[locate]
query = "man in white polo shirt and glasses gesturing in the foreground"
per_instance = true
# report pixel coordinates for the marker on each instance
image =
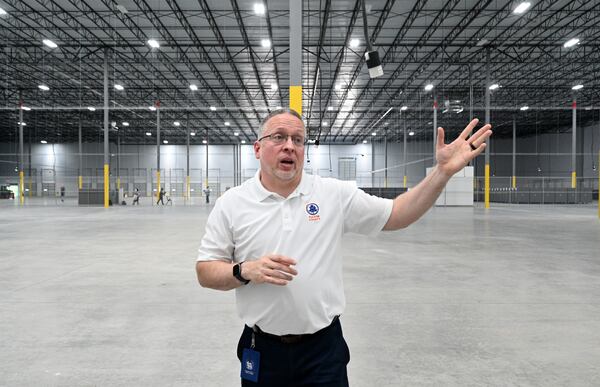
(276, 239)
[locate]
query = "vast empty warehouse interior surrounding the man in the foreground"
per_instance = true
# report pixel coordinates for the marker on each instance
(104, 100)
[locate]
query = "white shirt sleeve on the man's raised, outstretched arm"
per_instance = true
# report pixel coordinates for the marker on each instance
(363, 213)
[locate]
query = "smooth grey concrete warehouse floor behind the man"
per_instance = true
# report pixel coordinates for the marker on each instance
(465, 297)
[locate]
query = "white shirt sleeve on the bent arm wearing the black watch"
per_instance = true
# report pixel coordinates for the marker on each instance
(217, 243)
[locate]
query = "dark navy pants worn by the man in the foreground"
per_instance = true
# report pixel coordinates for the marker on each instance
(319, 360)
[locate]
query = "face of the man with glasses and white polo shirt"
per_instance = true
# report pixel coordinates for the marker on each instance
(281, 162)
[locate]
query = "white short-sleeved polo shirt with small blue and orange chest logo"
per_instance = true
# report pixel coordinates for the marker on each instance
(248, 222)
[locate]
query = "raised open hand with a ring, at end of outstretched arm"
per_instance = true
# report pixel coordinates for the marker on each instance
(453, 157)
